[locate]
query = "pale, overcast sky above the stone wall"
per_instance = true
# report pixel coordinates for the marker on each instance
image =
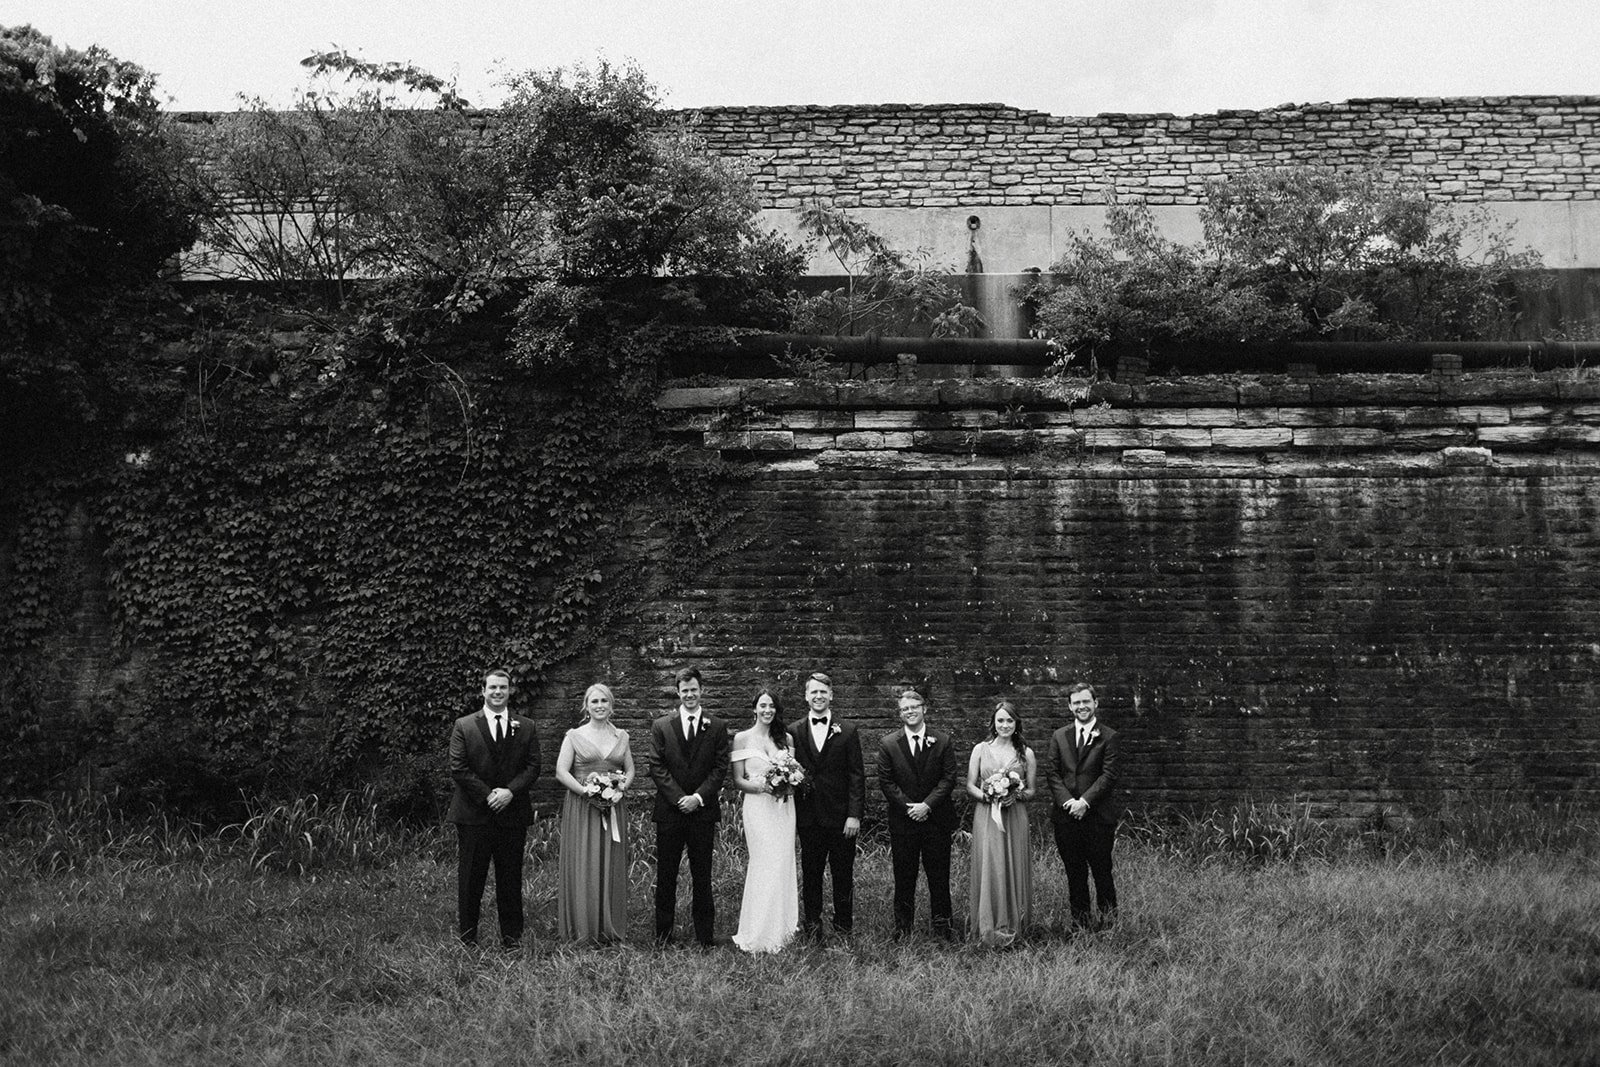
(1063, 57)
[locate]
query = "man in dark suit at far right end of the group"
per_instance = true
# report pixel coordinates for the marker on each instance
(1086, 805)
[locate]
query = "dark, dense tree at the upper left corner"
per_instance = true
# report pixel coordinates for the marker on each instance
(94, 206)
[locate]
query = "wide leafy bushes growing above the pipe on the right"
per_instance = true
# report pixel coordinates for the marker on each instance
(1290, 254)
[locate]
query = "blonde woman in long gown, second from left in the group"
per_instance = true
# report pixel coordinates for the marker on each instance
(593, 893)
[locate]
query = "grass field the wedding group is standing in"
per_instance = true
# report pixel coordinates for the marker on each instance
(314, 935)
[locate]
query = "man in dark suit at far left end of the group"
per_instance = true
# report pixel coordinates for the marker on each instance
(494, 764)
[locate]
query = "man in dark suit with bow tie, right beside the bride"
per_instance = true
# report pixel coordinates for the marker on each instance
(828, 817)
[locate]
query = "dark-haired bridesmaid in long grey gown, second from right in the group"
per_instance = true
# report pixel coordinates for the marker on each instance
(1001, 893)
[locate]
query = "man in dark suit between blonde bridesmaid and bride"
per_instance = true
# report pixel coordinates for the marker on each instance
(692, 761)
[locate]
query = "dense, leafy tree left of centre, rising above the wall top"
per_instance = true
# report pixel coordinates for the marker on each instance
(649, 239)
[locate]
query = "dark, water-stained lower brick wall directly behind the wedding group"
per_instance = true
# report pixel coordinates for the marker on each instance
(1364, 596)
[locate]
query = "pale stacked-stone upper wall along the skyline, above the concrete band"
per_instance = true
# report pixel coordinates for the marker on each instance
(892, 156)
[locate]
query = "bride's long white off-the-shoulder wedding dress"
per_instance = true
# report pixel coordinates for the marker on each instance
(770, 911)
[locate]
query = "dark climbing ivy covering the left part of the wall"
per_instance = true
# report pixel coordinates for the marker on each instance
(310, 572)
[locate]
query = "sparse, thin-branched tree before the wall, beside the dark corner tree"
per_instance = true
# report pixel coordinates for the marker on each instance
(383, 177)
